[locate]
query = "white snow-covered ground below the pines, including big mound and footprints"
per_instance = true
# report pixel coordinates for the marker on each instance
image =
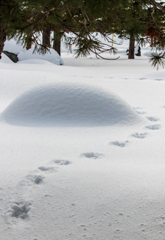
(82, 149)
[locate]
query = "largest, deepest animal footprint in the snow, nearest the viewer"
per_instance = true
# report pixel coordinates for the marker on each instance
(20, 209)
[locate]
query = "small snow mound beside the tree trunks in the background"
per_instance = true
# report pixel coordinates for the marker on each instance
(51, 56)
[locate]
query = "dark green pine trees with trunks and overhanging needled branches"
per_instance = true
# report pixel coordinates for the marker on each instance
(137, 20)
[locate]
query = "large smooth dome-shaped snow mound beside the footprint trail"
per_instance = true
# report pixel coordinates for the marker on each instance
(69, 105)
